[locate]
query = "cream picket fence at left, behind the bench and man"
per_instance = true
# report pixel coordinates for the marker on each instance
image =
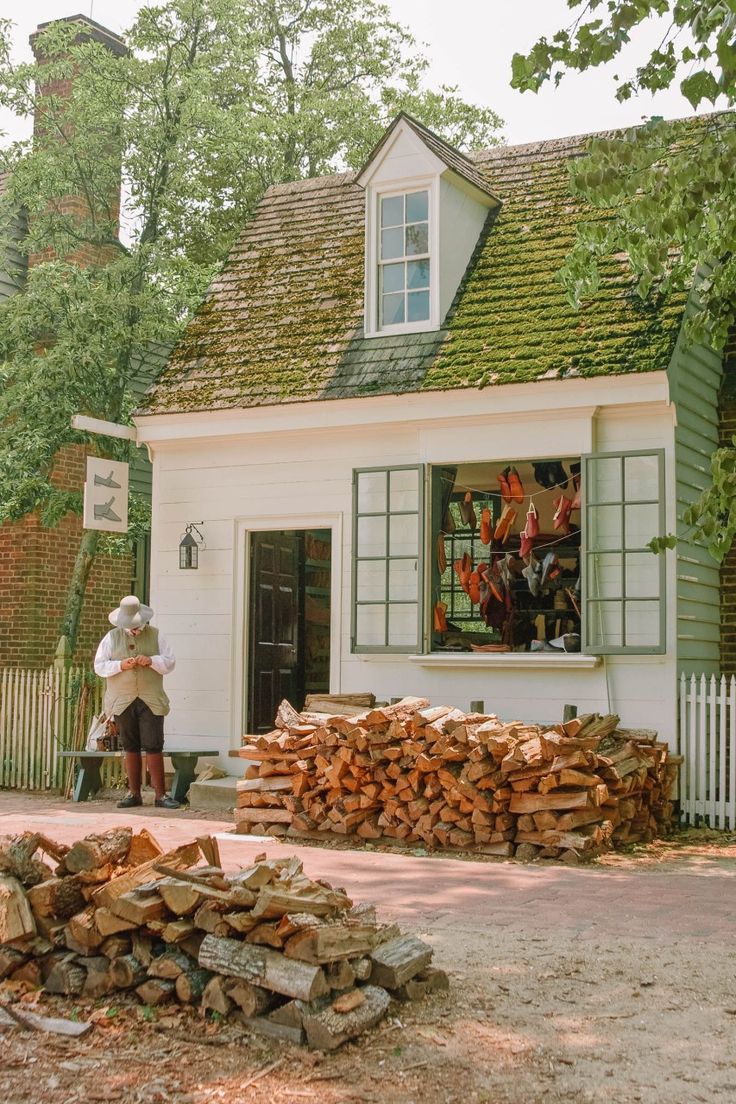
(38, 716)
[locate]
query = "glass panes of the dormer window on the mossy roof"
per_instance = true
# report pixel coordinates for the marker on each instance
(404, 266)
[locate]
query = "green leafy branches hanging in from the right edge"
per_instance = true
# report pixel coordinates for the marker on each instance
(663, 195)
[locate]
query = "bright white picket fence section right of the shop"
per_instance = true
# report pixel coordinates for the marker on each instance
(708, 744)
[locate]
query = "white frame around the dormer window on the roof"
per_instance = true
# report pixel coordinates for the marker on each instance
(372, 327)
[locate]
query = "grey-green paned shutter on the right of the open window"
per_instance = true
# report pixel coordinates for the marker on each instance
(623, 580)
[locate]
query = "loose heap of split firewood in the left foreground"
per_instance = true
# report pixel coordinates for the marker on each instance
(287, 956)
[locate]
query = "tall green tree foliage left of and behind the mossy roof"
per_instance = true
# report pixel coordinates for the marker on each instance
(214, 102)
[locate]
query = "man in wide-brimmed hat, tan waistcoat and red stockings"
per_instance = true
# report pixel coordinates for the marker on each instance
(134, 657)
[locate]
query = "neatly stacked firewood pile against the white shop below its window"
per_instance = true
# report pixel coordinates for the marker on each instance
(438, 777)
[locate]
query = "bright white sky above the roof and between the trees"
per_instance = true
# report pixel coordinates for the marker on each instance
(471, 44)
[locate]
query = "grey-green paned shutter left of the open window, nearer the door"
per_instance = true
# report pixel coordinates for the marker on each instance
(388, 559)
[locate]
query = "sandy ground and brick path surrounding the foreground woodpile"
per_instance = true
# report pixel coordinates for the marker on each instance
(611, 983)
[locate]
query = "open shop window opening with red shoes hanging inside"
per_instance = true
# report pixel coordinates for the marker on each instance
(506, 557)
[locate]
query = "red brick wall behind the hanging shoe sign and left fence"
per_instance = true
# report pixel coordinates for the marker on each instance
(36, 569)
